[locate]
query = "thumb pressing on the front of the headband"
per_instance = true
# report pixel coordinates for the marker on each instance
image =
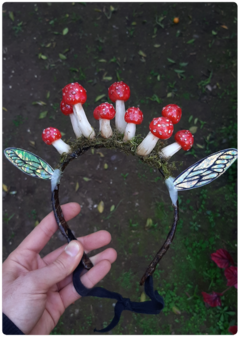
(63, 266)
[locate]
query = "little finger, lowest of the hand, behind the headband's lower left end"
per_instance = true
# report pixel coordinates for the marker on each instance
(89, 280)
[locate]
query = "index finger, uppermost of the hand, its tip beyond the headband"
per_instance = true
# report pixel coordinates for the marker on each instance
(40, 236)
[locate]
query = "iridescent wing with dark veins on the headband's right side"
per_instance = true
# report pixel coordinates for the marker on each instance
(206, 170)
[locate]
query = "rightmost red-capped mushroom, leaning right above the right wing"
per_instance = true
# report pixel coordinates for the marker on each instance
(184, 140)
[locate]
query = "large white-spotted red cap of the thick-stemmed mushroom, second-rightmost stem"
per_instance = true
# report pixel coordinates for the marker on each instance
(161, 127)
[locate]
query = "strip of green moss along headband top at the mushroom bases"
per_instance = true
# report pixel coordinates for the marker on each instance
(81, 145)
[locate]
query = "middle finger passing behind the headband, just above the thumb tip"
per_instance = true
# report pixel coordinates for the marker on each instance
(90, 242)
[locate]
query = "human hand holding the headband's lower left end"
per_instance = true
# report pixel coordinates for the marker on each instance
(35, 292)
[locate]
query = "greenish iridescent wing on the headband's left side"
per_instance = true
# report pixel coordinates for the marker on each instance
(29, 163)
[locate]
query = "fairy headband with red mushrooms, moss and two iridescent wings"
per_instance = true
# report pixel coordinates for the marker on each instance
(151, 150)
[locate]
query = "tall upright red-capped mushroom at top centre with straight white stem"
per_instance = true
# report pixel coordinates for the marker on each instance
(119, 92)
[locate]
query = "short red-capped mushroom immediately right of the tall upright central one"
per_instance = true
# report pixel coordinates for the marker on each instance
(133, 117)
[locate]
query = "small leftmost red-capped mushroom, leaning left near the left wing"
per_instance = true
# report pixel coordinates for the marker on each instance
(52, 136)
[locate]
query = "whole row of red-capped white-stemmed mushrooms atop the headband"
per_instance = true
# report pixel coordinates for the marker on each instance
(74, 96)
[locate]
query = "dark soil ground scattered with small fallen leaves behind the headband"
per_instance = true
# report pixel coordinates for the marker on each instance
(163, 63)
